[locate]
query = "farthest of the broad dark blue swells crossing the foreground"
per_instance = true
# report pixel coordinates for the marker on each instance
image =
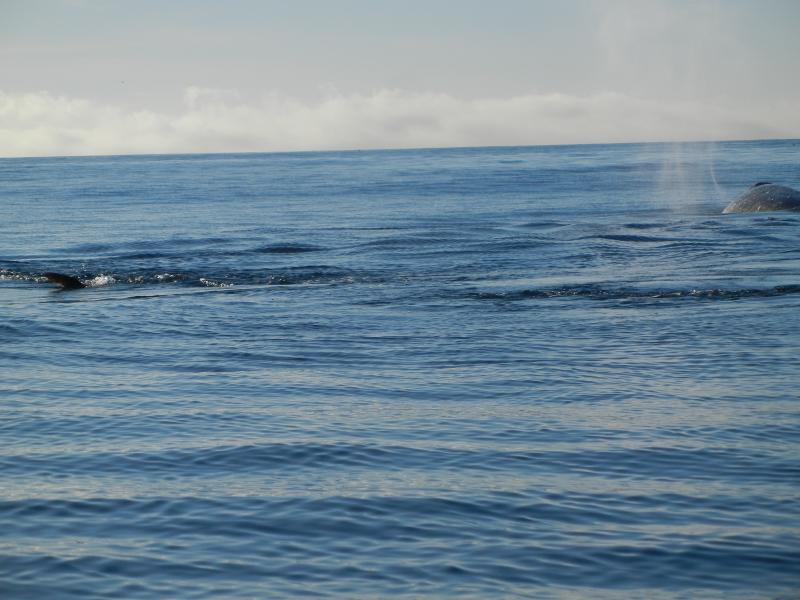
(652, 463)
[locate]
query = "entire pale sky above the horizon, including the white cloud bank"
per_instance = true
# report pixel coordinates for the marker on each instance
(84, 77)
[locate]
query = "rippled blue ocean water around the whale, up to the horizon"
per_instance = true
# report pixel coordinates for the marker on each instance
(541, 372)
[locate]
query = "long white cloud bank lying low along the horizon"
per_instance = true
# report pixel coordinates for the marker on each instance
(42, 123)
